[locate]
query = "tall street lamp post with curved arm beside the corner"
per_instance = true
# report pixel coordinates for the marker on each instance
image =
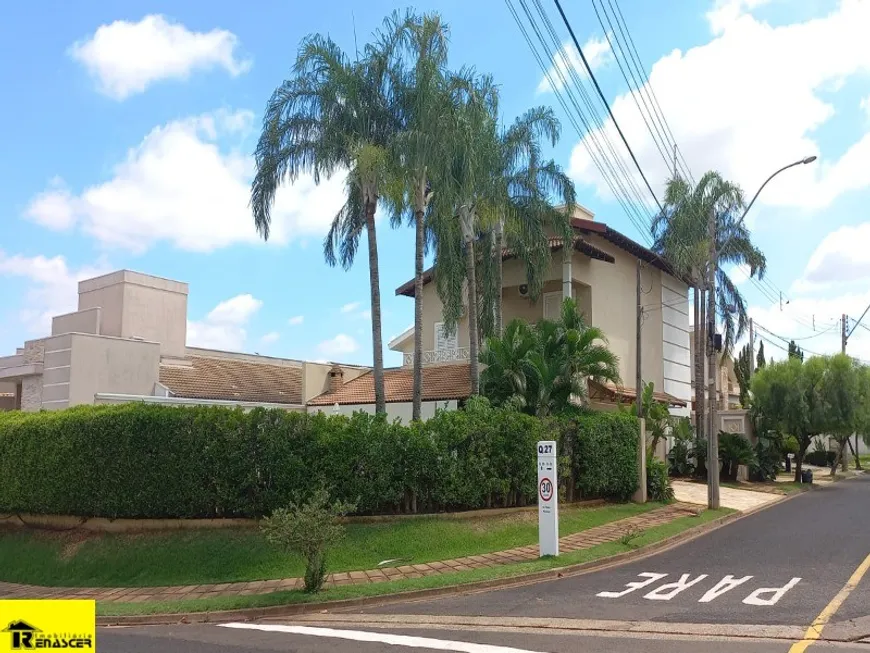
(713, 437)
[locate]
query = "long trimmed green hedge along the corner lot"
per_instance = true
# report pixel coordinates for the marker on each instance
(139, 460)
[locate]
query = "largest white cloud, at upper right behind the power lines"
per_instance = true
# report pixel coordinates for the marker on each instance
(767, 114)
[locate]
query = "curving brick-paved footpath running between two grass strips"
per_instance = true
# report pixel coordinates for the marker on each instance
(587, 539)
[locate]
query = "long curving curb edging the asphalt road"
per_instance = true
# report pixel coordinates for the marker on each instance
(253, 614)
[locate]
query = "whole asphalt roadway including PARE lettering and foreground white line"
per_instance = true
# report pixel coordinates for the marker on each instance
(731, 590)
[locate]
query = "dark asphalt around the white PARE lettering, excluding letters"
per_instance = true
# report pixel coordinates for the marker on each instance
(819, 537)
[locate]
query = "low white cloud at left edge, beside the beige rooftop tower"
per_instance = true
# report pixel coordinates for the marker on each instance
(52, 287)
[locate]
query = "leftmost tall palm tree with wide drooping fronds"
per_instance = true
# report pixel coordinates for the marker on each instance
(335, 115)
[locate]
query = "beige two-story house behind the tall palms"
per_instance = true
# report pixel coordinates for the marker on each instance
(601, 275)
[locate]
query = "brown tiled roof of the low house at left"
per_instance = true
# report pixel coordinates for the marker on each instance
(233, 380)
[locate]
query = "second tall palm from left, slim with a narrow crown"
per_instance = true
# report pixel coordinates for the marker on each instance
(423, 99)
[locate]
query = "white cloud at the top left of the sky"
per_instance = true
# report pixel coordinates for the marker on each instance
(126, 58)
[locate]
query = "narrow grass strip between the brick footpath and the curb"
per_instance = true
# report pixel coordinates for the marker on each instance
(649, 536)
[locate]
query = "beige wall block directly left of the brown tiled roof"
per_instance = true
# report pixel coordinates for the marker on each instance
(105, 364)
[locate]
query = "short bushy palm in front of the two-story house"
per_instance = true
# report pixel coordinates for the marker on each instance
(544, 369)
